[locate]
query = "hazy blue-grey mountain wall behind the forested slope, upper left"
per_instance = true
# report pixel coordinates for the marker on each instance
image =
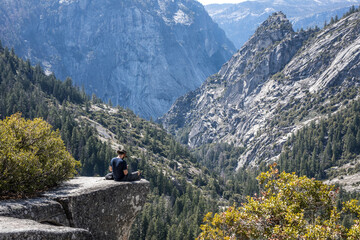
(138, 54)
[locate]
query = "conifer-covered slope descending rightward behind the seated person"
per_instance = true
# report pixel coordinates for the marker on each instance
(92, 130)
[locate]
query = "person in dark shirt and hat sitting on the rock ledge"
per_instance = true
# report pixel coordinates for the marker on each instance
(119, 171)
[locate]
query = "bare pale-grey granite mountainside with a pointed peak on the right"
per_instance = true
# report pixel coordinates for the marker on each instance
(276, 84)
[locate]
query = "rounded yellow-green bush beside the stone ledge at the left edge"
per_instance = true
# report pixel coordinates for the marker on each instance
(32, 157)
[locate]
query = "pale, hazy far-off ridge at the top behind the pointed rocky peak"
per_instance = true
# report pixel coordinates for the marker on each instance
(240, 21)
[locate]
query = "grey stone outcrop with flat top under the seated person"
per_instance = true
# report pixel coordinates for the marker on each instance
(82, 208)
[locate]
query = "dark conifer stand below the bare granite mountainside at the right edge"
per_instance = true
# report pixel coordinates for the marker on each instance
(330, 142)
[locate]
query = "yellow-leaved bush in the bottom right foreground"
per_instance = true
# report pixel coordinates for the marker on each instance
(290, 207)
